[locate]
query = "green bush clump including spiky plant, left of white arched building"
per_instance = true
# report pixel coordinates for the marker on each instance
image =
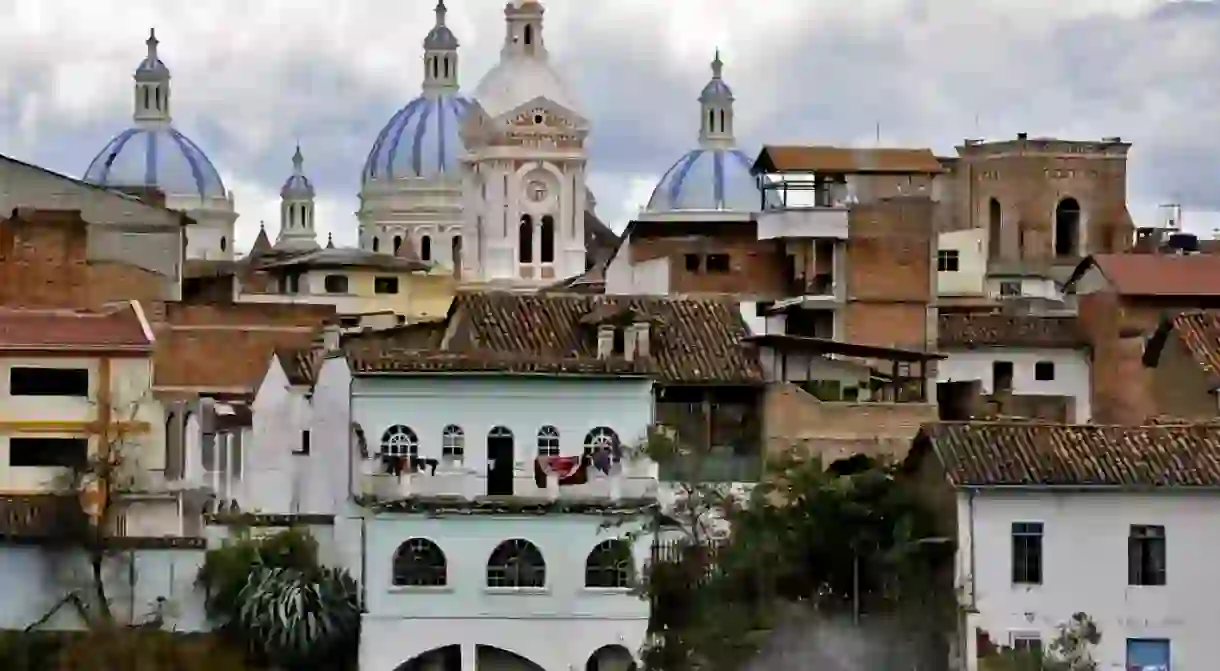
(274, 597)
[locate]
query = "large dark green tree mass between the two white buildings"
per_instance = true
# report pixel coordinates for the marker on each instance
(851, 540)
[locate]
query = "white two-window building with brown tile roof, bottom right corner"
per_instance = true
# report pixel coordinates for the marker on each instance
(1117, 523)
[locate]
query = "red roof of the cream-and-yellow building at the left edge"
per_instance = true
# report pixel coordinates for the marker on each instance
(119, 329)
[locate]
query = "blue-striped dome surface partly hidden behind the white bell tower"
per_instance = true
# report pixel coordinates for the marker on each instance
(423, 140)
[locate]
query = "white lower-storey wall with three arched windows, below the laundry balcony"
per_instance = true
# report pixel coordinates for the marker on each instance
(558, 626)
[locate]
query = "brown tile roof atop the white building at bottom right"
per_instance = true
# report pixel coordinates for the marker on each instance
(999, 454)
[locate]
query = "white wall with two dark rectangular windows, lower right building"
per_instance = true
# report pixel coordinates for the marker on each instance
(1085, 569)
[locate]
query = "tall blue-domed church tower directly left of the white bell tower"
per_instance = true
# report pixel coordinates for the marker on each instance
(412, 182)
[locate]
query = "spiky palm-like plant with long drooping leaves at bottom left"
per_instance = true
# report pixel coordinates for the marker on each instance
(297, 615)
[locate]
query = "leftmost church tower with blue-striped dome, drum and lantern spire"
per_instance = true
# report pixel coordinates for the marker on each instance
(154, 154)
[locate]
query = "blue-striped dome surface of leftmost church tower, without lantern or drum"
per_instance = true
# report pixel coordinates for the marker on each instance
(156, 157)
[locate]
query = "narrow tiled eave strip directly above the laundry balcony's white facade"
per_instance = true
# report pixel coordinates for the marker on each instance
(402, 362)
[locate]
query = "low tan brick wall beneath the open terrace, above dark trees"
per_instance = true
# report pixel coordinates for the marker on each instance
(795, 419)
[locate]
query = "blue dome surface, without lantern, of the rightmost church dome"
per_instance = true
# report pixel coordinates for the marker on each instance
(708, 180)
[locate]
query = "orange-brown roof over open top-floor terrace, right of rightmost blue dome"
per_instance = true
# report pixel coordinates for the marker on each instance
(847, 160)
